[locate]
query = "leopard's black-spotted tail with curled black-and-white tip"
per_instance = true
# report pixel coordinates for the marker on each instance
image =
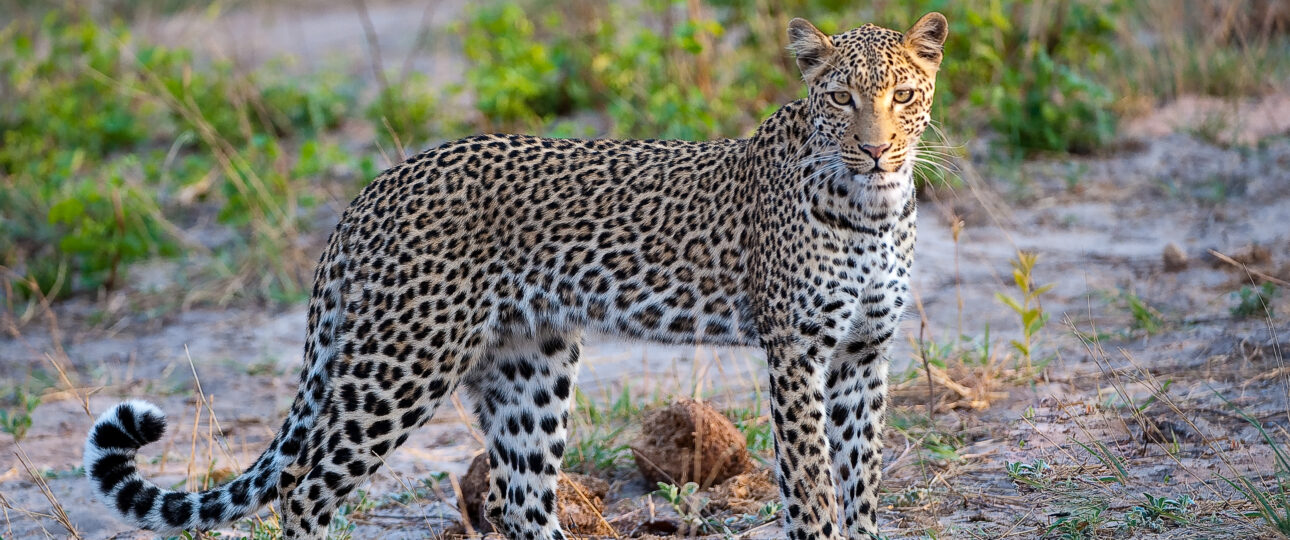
(118, 435)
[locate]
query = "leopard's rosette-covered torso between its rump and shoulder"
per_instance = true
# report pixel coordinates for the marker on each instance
(640, 239)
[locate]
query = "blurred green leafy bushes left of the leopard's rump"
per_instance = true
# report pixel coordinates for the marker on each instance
(103, 135)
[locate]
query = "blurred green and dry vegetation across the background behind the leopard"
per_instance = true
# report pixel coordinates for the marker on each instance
(117, 150)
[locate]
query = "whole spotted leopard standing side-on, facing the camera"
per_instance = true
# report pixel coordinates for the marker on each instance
(481, 265)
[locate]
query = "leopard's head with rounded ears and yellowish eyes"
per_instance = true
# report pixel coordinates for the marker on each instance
(870, 92)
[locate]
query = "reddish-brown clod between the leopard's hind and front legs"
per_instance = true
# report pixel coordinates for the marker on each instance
(691, 443)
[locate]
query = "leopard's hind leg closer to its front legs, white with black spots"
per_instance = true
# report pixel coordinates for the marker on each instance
(522, 395)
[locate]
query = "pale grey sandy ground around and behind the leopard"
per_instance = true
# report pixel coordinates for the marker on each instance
(1100, 226)
